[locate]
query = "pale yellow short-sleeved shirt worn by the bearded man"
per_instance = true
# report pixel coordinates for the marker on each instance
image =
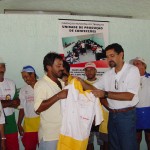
(50, 122)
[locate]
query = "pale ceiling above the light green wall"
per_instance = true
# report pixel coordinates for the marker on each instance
(139, 9)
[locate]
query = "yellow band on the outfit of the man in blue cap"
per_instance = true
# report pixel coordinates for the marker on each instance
(31, 124)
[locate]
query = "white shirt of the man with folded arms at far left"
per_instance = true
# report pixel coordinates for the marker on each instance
(7, 92)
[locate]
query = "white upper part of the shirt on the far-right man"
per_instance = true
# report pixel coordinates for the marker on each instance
(144, 92)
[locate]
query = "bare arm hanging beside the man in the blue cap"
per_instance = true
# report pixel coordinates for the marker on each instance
(20, 119)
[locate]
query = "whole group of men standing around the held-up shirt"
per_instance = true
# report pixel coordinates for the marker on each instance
(123, 92)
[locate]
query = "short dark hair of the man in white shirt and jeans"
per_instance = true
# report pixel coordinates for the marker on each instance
(117, 48)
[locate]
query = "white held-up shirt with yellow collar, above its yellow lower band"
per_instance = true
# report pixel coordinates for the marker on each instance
(78, 111)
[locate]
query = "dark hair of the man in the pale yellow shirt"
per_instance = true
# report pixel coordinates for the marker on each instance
(50, 58)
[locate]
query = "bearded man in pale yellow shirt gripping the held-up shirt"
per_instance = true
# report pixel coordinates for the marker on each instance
(47, 93)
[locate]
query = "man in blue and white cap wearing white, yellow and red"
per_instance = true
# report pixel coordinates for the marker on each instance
(29, 131)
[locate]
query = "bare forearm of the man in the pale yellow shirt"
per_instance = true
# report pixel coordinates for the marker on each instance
(47, 103)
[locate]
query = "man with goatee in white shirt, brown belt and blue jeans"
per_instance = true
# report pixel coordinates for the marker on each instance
(119, 86)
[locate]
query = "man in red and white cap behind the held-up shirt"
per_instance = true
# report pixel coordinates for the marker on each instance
(90, 72)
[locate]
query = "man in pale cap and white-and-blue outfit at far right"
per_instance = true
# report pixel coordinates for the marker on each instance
(143, 107)
